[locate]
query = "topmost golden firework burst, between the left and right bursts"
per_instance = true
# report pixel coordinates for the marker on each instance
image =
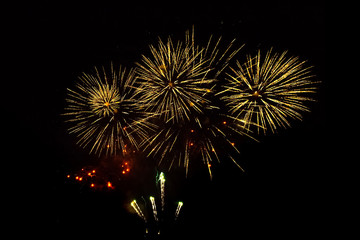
(178, 77)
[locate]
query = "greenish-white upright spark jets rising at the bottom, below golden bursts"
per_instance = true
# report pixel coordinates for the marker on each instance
(157, 217)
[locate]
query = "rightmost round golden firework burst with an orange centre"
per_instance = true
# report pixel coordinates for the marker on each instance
(267, 92)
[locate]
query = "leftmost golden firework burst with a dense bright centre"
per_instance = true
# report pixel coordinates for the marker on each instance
(103, 112)
